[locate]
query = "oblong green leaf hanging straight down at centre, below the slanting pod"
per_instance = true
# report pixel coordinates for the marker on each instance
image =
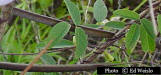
(81, 42)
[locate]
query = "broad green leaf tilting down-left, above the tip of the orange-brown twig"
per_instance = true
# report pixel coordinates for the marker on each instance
(56, 34)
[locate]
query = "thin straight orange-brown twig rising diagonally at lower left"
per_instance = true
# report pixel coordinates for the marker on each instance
(36, 58)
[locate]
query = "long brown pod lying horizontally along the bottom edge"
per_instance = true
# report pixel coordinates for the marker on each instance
(56, 68)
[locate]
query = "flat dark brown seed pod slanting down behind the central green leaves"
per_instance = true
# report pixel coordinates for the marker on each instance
(52, 21)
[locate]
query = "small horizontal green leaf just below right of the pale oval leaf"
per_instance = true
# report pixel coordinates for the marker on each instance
(115, 24)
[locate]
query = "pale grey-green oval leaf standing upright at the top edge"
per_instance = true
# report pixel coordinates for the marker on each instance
(100, 10)
